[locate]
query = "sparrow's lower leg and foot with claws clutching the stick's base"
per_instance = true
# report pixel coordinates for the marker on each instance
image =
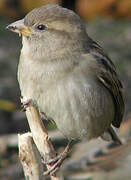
(57, 161)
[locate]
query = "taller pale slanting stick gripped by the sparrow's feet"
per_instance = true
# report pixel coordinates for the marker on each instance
(40, 137)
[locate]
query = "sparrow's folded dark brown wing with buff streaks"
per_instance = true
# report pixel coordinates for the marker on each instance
(108, 77)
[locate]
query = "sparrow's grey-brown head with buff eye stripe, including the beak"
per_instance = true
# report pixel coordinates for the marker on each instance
(50, 28)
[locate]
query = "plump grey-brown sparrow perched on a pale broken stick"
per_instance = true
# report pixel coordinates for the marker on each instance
(68, 75)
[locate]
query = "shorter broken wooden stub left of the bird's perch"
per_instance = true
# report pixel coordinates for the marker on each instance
(30, 158)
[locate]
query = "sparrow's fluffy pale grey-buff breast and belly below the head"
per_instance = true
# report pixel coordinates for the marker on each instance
(79, 106)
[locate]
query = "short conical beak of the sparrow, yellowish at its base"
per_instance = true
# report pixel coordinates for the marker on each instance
(19, 28)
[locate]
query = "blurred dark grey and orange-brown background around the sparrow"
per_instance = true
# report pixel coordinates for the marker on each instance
(108, 23)
